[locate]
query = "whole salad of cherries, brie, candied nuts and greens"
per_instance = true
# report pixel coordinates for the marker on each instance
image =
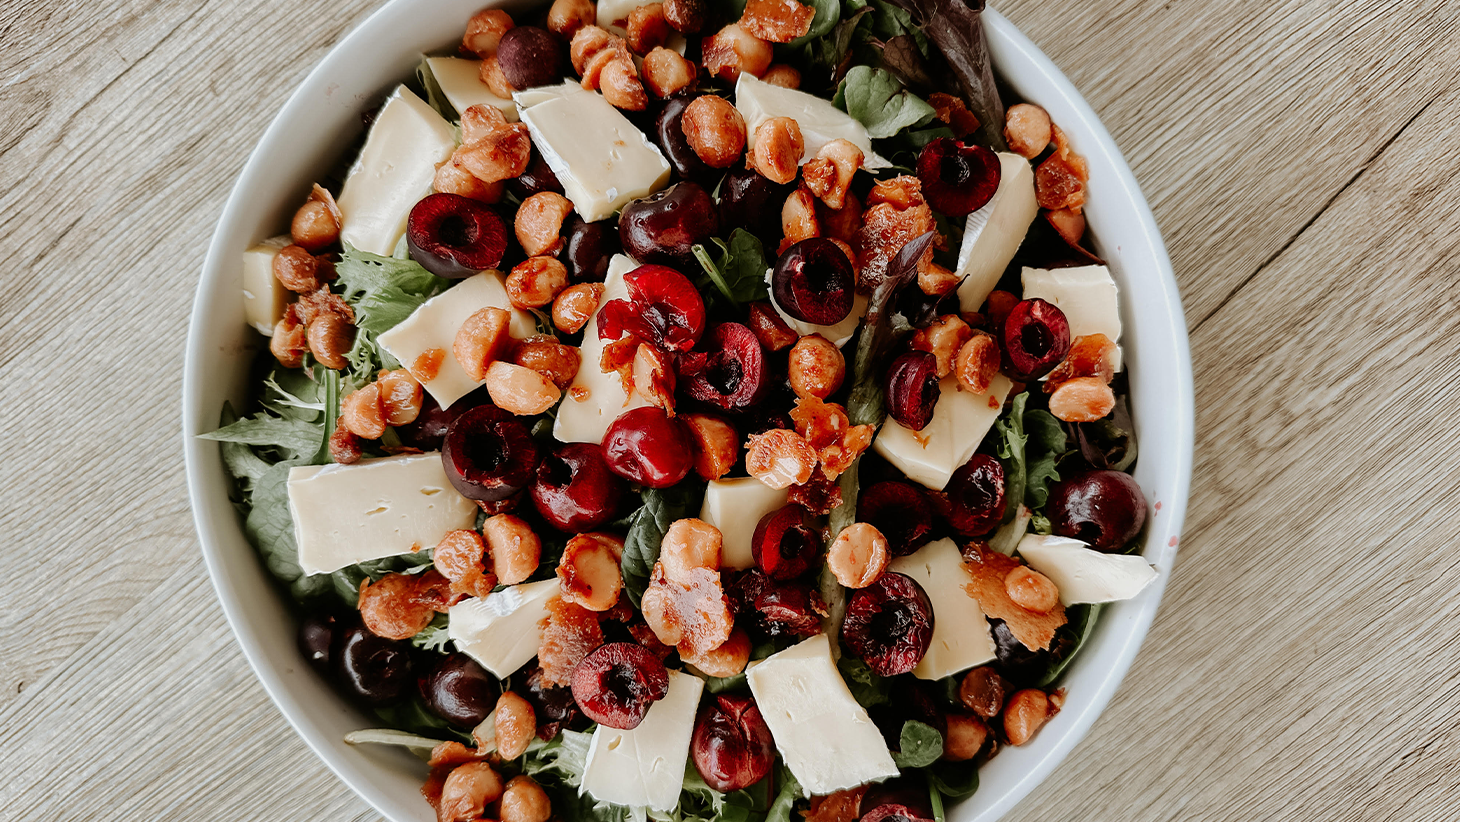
(696, 411)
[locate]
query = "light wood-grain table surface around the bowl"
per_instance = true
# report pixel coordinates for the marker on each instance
(1302, 158)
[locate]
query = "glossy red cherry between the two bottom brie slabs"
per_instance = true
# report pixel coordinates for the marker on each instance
(732, 745)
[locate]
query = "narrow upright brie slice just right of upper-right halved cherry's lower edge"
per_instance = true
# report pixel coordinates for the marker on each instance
(994, 233)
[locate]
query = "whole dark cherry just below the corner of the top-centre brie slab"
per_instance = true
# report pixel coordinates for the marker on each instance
(665, 227)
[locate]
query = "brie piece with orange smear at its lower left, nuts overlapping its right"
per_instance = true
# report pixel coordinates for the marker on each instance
(436, 325)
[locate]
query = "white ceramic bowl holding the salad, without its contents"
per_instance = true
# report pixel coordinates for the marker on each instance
(309, 138)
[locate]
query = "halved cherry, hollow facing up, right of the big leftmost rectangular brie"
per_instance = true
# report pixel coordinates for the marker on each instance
(490, 455)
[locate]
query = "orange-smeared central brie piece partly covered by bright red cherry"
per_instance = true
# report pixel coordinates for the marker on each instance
(596, 399)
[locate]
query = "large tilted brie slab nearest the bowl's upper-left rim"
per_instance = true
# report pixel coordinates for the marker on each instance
(393, 173)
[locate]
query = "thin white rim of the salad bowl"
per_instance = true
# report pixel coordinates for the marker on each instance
(1007, 43)
